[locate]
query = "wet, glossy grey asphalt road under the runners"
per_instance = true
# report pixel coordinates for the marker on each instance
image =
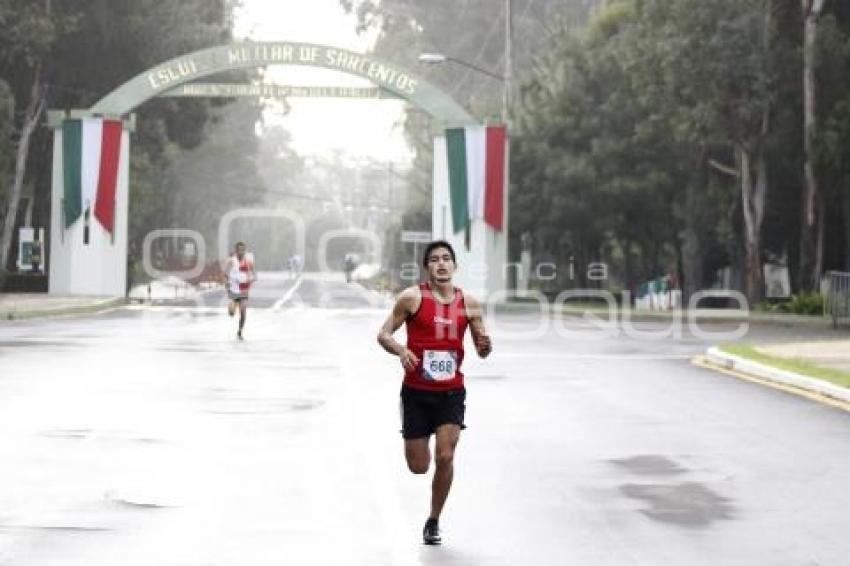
(150, 436)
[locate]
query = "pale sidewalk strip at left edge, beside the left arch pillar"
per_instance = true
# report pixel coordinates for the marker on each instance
(16, 306)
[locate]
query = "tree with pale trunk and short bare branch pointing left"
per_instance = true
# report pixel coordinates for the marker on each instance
(729, 83)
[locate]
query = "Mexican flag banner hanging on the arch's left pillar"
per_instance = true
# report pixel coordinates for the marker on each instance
(91, 149)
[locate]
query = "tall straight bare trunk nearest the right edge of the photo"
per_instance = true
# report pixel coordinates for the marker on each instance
(811, 245)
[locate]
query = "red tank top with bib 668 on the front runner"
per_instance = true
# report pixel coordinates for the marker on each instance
(435, 335)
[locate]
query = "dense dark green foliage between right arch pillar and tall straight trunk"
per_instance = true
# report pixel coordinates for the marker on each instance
(622, 123)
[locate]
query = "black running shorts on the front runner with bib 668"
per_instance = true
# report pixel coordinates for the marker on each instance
(423, 411)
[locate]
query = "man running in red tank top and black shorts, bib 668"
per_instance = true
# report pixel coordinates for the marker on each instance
(436, 315)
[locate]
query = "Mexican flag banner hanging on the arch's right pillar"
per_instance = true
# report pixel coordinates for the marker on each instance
(476, 159)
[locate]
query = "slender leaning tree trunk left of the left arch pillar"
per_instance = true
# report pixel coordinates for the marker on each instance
(30, 121)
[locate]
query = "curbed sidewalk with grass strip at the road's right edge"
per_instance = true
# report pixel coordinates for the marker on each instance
(819, 368)
